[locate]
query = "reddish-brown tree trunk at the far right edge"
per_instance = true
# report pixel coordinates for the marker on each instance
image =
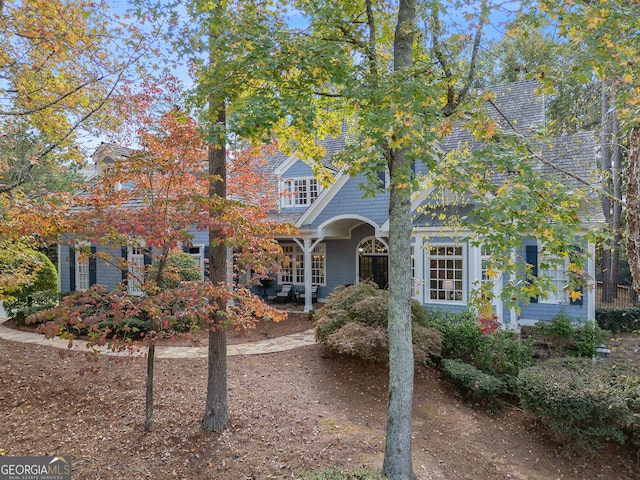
(633, 207)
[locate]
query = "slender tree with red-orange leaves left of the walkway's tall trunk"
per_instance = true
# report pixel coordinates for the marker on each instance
(164, 199)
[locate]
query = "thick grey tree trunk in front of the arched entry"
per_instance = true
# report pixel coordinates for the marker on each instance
(397, 456)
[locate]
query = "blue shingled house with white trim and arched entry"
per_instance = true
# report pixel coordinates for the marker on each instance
(343, 237)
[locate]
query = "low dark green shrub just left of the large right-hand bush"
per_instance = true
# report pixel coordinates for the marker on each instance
(473, 382)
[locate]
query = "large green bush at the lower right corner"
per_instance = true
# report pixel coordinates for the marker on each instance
(582, 403)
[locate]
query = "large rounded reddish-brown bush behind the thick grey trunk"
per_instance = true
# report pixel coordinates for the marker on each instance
(354, 322)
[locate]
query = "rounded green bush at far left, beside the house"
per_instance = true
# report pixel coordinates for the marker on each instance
(39, 295)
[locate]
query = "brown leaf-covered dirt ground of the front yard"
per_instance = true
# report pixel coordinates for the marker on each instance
(290, 411)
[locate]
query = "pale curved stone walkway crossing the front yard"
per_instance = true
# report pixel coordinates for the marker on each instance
(278, 344)
